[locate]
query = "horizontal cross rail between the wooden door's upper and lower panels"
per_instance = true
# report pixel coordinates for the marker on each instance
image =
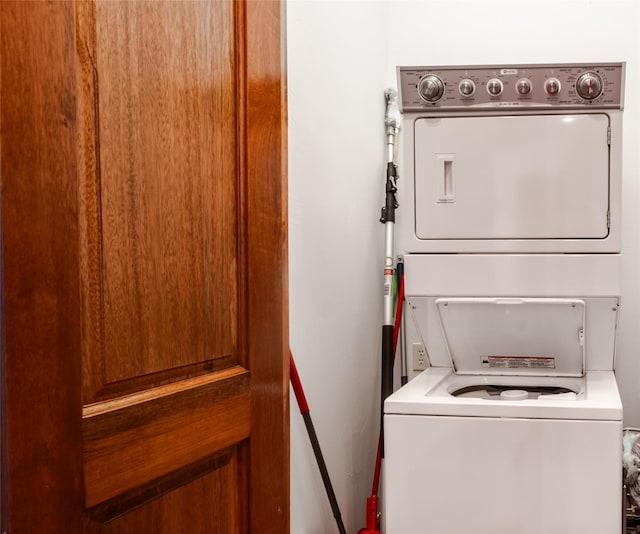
(134, 440)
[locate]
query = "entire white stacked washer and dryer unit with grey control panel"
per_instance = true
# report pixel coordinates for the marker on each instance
(511, 242)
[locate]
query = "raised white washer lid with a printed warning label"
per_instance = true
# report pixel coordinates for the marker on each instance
(512, 336)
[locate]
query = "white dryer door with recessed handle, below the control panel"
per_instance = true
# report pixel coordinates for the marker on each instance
(512, 177)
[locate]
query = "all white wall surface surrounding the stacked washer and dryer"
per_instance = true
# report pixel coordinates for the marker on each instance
(341, 57)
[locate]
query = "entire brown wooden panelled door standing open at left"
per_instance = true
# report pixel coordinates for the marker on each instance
(144, 258)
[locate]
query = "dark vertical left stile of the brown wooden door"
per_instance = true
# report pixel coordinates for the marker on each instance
(41, 305)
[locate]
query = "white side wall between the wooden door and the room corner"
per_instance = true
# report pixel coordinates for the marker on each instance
(336, 57)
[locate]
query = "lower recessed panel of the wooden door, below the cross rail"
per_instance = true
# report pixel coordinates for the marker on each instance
(188, 509)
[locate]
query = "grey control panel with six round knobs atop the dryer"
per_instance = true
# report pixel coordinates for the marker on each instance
(570, 86)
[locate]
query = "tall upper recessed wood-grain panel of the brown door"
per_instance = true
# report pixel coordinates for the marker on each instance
(159, 192)
